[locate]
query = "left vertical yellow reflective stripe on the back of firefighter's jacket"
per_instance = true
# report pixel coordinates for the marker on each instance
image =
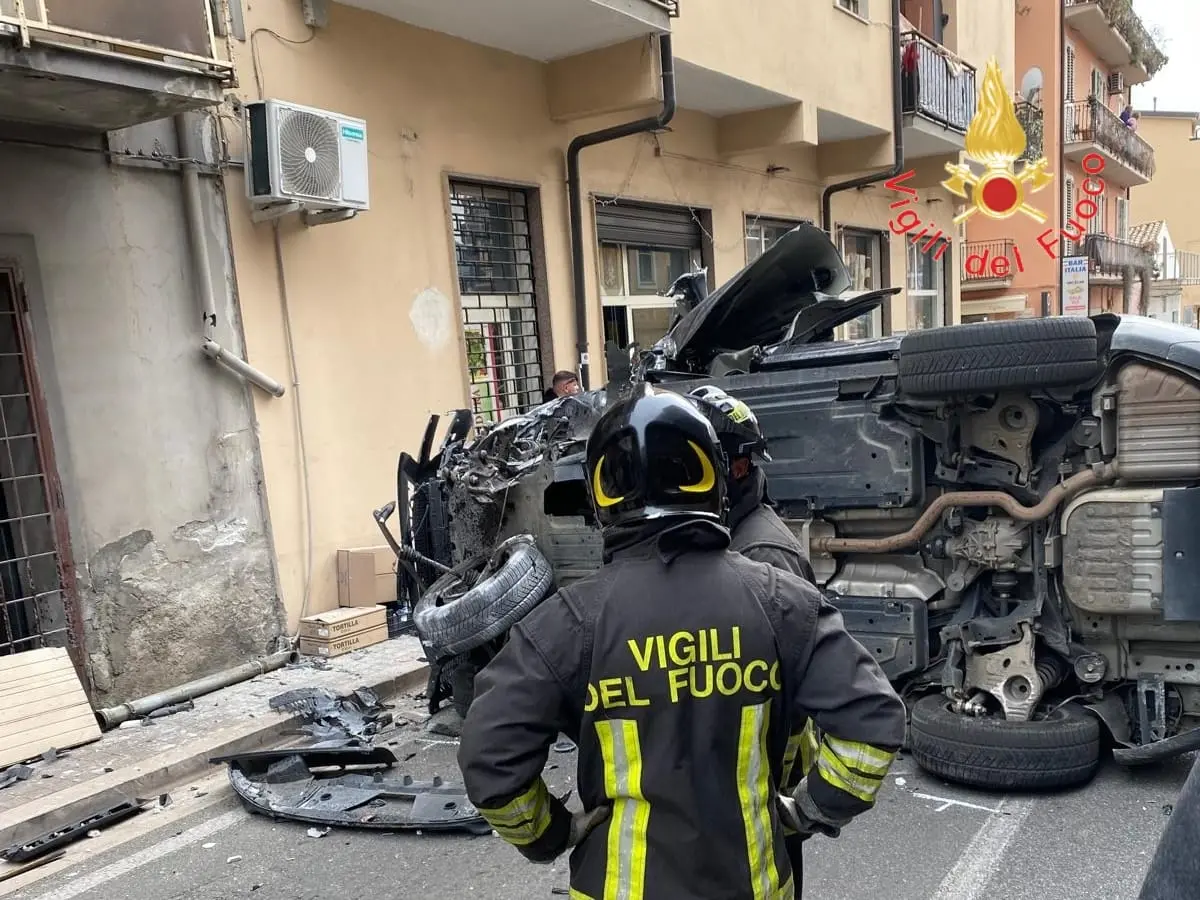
(626, 868)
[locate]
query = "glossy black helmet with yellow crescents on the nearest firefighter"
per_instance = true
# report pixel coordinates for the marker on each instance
(655, 455)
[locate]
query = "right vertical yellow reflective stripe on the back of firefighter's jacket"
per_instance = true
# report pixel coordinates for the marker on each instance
(757, 795)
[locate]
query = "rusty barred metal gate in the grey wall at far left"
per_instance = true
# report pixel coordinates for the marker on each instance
(37, 597)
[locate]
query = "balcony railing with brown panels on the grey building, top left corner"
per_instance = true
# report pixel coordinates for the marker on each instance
(179, 34)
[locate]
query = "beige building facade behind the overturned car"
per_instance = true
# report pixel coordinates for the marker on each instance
(455, 287)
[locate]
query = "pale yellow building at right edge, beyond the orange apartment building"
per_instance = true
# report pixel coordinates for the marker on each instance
(1169, 215)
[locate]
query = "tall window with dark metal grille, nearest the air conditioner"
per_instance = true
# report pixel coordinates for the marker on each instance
(500, 310)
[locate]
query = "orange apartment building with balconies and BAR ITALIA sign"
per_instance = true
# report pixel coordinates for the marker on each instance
(1077, 62)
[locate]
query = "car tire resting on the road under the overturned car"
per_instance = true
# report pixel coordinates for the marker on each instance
(1061, 751)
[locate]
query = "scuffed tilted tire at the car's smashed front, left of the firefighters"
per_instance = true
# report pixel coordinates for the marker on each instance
(455, 619)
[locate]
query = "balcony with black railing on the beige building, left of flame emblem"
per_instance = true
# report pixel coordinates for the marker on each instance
(939, 98)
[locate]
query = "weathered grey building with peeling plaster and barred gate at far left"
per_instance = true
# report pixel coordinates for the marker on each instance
(133, 527)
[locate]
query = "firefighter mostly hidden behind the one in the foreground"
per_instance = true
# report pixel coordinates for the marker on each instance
(758, 532)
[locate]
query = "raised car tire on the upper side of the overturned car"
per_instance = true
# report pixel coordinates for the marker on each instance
(991, 357)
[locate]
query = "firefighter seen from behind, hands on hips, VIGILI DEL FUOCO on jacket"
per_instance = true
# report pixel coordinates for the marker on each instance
(681, 670)
